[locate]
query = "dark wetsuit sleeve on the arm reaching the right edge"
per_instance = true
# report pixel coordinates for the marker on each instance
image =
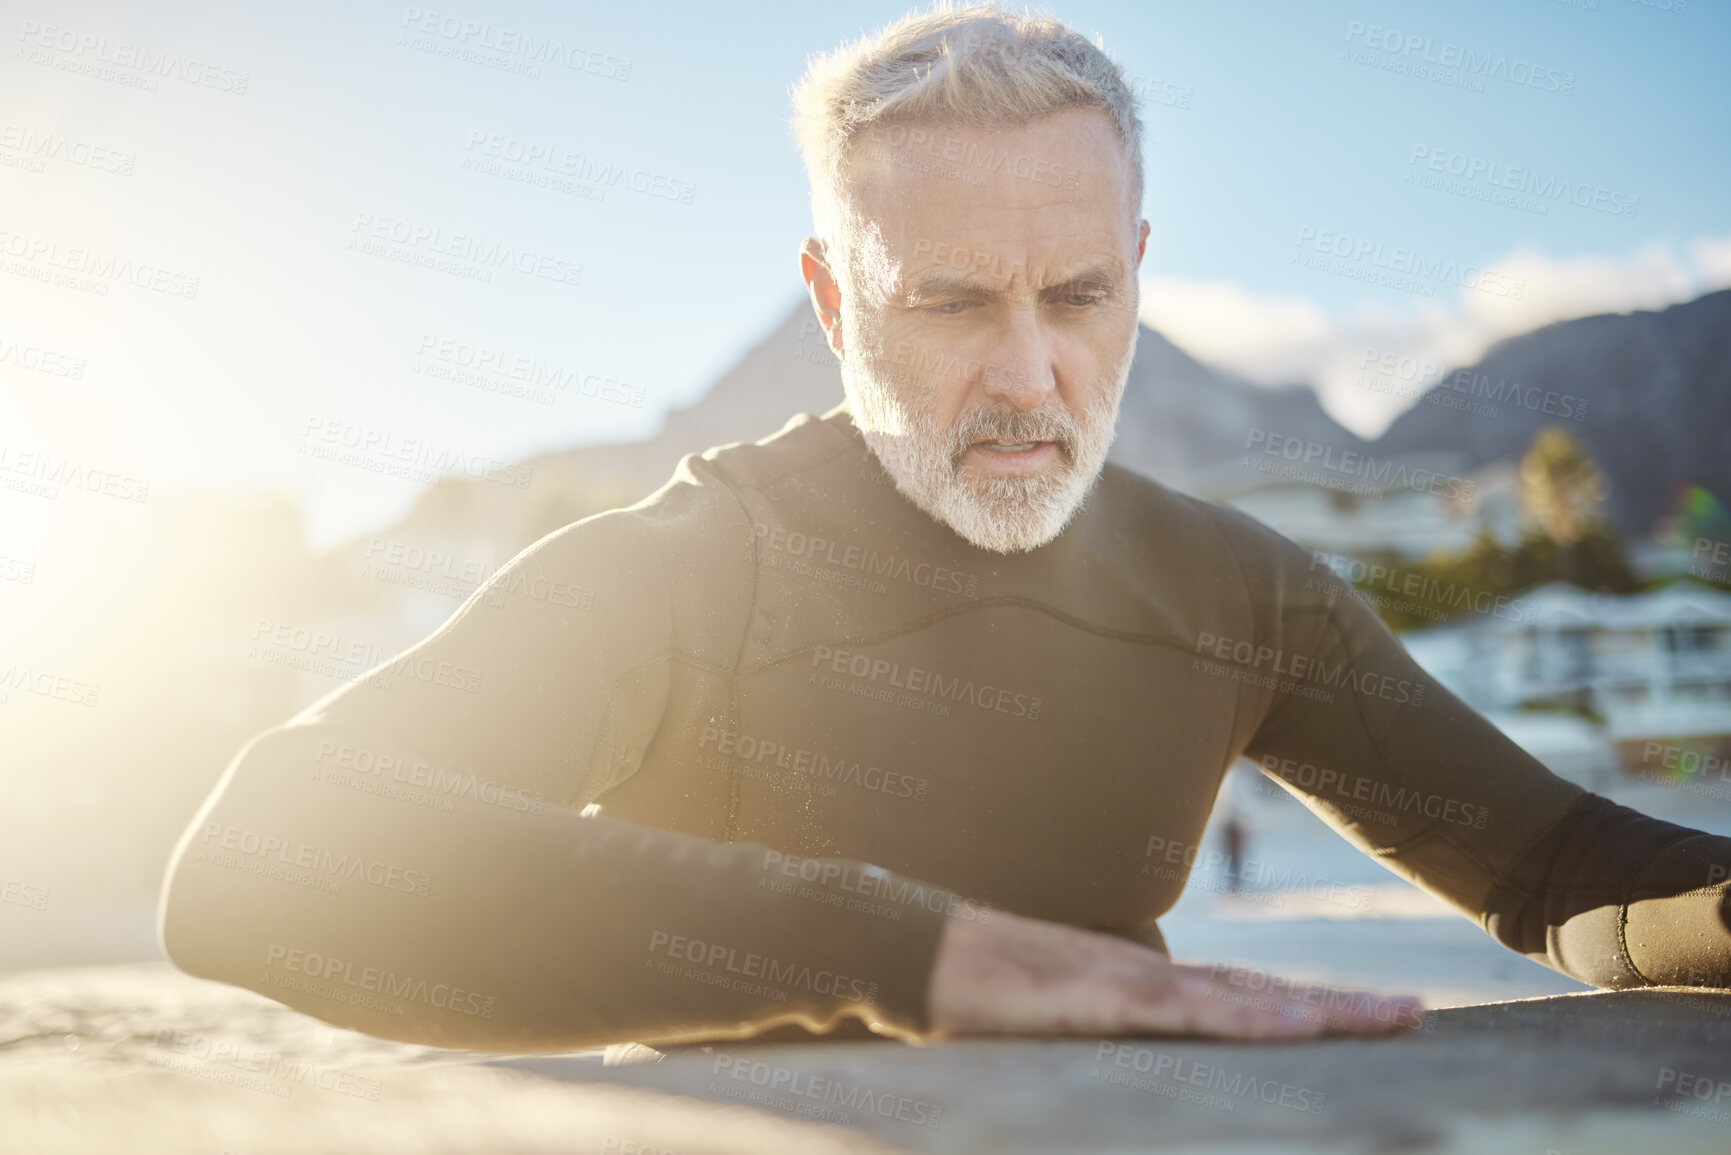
(1424, 784)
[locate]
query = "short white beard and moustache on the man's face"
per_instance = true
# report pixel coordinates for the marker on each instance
(1001, 513)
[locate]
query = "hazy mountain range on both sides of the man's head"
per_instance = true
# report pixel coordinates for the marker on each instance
(1657, 390)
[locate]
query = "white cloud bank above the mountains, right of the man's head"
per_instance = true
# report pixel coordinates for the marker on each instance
(1282, 340)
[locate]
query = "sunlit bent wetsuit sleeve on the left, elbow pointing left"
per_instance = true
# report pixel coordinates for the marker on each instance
(409, 858)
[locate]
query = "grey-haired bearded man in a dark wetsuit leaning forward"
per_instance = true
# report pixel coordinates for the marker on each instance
(911, 714)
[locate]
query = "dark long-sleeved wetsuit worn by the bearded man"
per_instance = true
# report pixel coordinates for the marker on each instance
(818, 723)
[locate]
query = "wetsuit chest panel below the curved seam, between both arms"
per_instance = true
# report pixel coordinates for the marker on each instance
(1003, 752)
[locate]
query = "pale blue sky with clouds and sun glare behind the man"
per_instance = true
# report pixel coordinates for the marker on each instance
(240, 238)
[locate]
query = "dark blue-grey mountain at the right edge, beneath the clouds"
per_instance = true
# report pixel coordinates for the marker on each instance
(1657, 390)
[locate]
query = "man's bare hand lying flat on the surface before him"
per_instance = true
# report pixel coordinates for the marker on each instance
(1031, 978)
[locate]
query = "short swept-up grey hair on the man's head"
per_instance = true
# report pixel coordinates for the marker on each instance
(974, 65)
